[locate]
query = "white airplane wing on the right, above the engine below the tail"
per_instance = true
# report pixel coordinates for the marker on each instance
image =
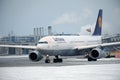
(97, 45)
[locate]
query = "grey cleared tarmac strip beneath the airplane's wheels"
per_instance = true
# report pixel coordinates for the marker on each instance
(19, 61)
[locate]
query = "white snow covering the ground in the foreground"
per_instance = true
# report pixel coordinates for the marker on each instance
(79, 72)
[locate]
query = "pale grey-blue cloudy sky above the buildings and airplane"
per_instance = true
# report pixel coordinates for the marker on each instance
(68, 16)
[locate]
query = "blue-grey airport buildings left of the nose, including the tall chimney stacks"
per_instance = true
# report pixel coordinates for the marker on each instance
(23, 40)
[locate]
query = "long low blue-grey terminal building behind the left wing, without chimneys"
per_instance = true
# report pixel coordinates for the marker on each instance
(16, 40)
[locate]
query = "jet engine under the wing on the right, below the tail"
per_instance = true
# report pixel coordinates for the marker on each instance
(97, 53)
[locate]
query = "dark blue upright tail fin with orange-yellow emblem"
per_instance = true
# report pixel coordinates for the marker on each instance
(98, 26)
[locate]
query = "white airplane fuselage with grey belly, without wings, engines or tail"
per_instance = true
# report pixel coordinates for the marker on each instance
(65, 45)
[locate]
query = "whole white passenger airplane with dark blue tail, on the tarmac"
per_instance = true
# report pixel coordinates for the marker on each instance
(70, 45)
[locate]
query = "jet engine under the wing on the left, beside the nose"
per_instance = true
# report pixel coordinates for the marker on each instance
(35, 56)
